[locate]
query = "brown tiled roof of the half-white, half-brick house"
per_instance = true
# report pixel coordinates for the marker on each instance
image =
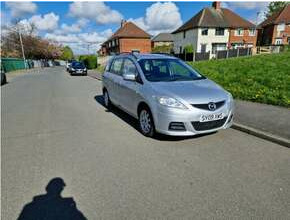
(211, 17)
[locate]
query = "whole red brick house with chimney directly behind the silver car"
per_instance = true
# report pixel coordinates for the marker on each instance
(129, 37)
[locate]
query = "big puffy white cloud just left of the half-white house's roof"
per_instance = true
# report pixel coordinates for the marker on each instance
(160, 17)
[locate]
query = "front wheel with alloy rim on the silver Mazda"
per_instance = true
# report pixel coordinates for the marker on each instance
(146, 123)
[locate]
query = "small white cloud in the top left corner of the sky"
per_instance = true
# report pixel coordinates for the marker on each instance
(19, 9)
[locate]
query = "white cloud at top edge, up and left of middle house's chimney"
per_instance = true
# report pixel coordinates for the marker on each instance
(98, 11)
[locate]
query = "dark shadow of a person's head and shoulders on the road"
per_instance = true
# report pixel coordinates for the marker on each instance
(52, 206)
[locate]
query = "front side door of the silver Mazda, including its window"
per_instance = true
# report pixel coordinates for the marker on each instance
(129, 90)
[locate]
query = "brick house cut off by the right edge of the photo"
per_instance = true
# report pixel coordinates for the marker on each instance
(275, 30)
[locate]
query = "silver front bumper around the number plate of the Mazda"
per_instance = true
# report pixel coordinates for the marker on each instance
(163, 116)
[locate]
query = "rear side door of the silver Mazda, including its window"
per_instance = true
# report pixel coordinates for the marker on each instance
(113, 78)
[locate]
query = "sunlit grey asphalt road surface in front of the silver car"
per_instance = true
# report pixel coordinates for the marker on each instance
(54, 125)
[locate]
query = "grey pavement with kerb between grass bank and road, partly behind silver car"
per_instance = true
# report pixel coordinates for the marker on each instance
(265, 121)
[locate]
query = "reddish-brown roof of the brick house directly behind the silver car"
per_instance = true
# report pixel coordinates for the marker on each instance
(130, 30)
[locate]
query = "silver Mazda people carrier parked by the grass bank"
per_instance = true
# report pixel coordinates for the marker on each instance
(166, 95)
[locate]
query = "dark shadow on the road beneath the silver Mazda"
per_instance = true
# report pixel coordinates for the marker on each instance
(134, 123)
